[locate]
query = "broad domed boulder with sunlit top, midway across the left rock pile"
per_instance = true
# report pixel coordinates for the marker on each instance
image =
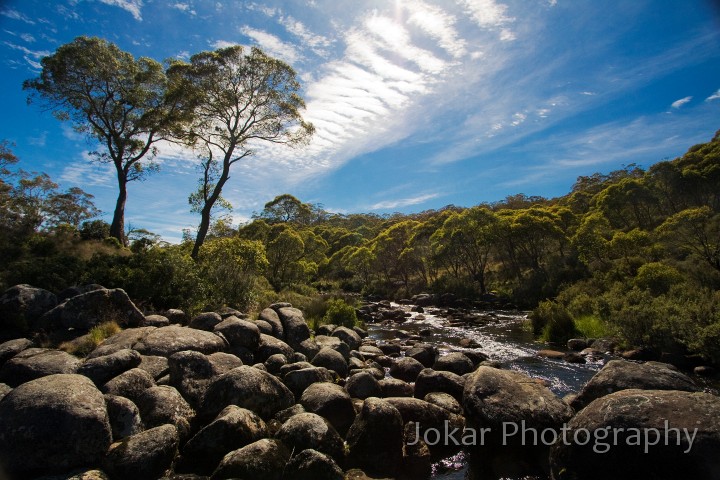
(249, 388)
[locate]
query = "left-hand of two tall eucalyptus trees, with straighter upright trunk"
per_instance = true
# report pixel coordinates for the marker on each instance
(114, 99)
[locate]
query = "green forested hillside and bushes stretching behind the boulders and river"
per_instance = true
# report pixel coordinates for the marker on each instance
(632, 253)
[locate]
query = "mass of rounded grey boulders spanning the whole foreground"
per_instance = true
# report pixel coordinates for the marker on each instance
(221, 395)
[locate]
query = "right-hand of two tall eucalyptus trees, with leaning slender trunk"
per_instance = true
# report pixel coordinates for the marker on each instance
(237, 100)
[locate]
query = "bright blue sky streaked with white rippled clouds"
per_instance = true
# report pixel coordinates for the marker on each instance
(417, 103)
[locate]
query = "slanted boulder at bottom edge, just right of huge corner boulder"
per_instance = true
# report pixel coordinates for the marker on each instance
(144, 456)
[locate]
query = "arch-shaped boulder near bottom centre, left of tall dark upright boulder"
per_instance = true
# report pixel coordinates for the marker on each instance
(309, 430)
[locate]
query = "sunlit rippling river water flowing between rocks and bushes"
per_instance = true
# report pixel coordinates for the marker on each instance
(504, 337)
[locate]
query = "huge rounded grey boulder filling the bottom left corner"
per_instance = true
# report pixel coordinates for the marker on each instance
(53, 424)
